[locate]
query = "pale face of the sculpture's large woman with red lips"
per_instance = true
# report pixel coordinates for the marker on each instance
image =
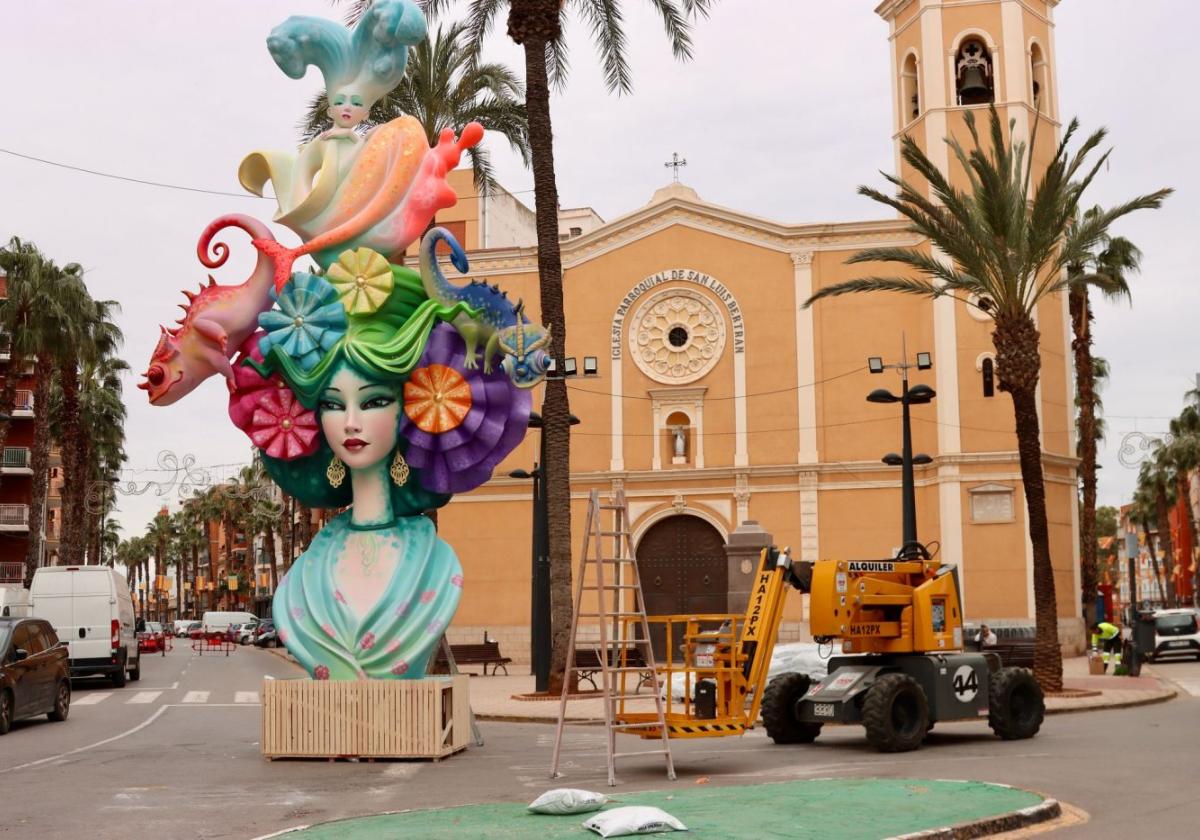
(359, 419)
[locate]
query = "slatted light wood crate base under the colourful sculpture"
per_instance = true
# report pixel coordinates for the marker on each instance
(367, 719)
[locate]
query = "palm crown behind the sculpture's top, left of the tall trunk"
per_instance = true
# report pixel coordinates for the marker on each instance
(447, 87)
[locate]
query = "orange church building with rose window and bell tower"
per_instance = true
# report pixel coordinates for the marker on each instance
(723, 407)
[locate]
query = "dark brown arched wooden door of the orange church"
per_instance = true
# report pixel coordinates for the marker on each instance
(682, 563)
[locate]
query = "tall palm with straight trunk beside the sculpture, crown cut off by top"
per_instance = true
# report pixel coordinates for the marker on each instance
(537, 26)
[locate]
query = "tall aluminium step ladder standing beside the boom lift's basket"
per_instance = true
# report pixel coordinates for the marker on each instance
(609, 590)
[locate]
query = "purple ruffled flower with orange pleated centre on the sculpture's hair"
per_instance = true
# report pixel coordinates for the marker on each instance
(455, 454)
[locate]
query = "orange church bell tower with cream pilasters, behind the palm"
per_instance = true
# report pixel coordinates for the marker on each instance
(953, 58)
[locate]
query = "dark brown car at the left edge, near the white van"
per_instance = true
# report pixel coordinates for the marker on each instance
(35, 671)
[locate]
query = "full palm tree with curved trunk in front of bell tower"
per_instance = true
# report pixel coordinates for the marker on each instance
(1011, 251)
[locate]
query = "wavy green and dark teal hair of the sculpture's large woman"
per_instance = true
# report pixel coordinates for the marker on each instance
(383, 347)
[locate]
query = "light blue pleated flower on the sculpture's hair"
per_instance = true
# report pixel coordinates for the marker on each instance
(307, 323)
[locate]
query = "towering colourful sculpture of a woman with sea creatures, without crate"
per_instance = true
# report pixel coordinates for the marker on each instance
(362, 383)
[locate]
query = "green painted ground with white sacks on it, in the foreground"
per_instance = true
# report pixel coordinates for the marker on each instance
(849, 809)
